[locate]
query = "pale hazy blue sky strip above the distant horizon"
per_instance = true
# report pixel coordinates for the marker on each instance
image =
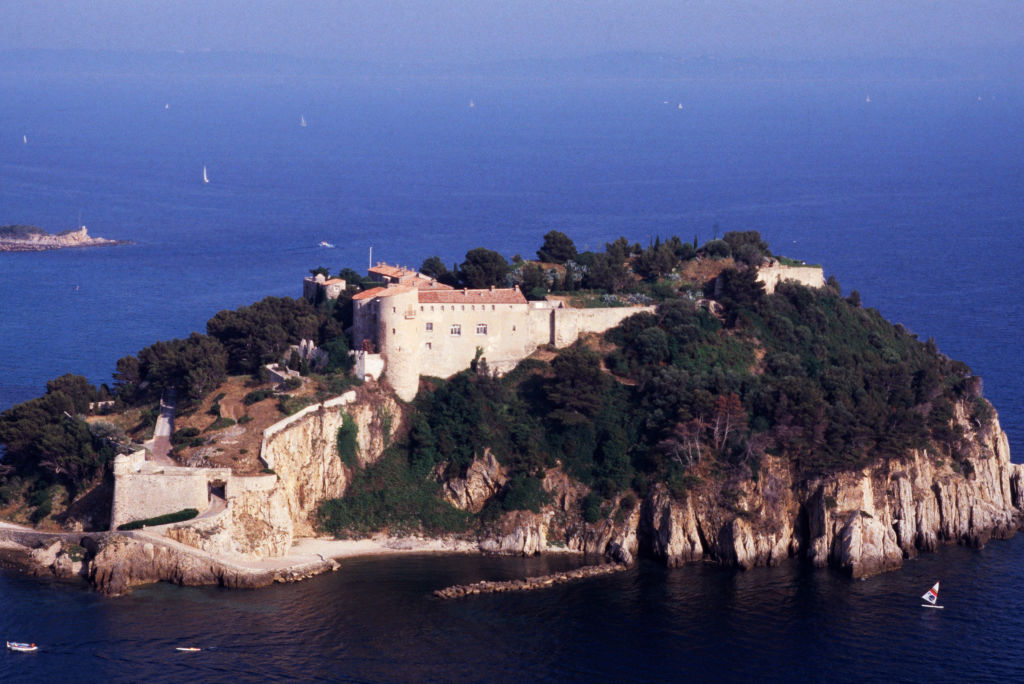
(466, 33)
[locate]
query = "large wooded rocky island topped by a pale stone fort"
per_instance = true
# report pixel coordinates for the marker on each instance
(687, 403)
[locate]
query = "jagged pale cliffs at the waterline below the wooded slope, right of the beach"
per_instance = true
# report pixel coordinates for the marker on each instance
(864, 523)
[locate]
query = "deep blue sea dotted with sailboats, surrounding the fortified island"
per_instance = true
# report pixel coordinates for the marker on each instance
(908, 190)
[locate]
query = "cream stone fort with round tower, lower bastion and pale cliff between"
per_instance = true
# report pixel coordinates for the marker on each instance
(408, 327)
